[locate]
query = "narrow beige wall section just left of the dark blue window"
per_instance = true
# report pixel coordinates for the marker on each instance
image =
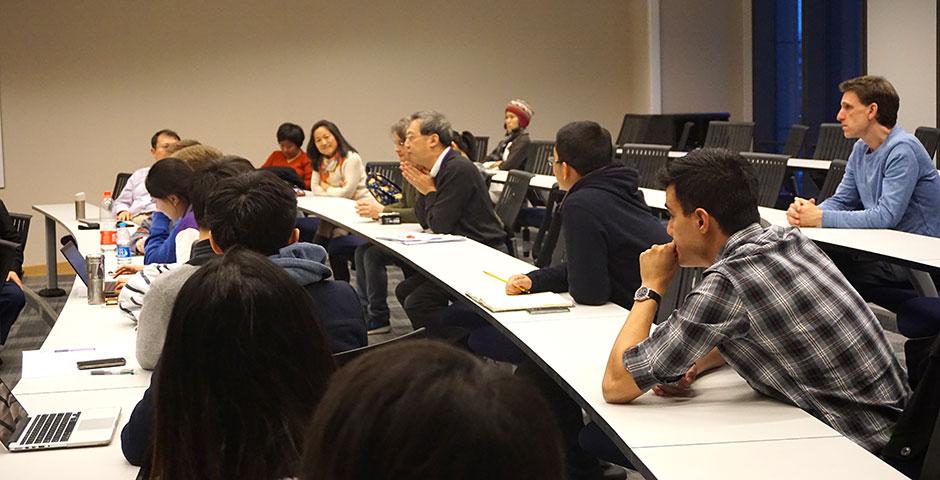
(706, 56)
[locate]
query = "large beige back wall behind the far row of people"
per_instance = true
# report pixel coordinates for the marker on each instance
(83, 85)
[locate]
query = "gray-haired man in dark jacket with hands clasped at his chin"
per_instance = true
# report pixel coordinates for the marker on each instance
(452, 199)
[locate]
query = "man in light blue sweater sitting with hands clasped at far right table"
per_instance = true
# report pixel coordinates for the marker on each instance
(890, 182)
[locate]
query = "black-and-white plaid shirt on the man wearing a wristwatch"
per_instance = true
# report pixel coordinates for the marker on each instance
(787, 321)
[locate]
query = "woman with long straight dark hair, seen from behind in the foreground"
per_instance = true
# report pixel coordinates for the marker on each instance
(244, 365)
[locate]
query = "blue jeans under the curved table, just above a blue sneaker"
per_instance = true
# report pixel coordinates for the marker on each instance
(372, 281)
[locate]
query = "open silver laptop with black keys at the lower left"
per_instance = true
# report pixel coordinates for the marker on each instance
(21, 432)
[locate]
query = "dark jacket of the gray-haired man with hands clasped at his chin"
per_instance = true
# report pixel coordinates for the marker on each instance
(461, 205)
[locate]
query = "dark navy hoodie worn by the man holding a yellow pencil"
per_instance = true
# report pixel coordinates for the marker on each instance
(606, 225)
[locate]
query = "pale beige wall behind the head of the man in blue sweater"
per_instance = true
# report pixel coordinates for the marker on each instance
(902, 46)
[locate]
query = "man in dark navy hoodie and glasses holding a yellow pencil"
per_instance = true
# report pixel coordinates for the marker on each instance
(606, 223)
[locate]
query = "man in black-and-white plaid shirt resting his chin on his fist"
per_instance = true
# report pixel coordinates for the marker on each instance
(771, 304)
